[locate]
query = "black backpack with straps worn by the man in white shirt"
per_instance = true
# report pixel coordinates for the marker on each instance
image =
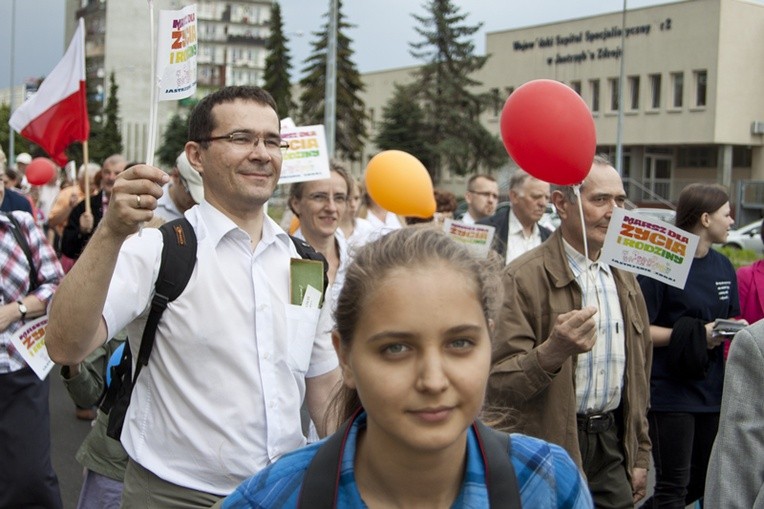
(178, 260)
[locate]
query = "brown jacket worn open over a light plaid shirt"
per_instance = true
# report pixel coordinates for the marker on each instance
(538, 287)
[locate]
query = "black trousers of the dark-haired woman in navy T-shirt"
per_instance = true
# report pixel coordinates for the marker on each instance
(681, 448)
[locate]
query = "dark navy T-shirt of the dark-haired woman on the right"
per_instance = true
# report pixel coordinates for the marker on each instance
(710, 293)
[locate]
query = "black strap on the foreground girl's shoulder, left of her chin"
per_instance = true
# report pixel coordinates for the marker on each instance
(320, 485)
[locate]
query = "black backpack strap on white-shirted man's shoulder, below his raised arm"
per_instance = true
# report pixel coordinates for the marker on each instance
(178, 260)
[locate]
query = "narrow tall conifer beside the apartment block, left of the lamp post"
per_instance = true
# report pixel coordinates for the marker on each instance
(278, 63)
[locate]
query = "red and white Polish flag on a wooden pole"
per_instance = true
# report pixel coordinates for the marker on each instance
(57, 115)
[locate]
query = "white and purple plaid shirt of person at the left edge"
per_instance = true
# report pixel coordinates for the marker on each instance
(14, 278)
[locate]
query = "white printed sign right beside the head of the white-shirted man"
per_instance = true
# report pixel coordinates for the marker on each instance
(307, 157)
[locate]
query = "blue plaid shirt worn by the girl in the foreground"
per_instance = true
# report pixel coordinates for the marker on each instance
(546, 476)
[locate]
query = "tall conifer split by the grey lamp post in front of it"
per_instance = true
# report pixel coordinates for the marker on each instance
(350, 129)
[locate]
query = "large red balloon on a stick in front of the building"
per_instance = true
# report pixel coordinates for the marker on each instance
(549, 131)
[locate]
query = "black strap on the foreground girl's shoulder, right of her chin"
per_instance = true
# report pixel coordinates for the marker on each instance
(500, 476)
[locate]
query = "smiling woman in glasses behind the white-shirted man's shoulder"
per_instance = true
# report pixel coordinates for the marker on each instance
(319, 204)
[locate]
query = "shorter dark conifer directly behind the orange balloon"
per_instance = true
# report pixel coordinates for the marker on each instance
(403, 127)
